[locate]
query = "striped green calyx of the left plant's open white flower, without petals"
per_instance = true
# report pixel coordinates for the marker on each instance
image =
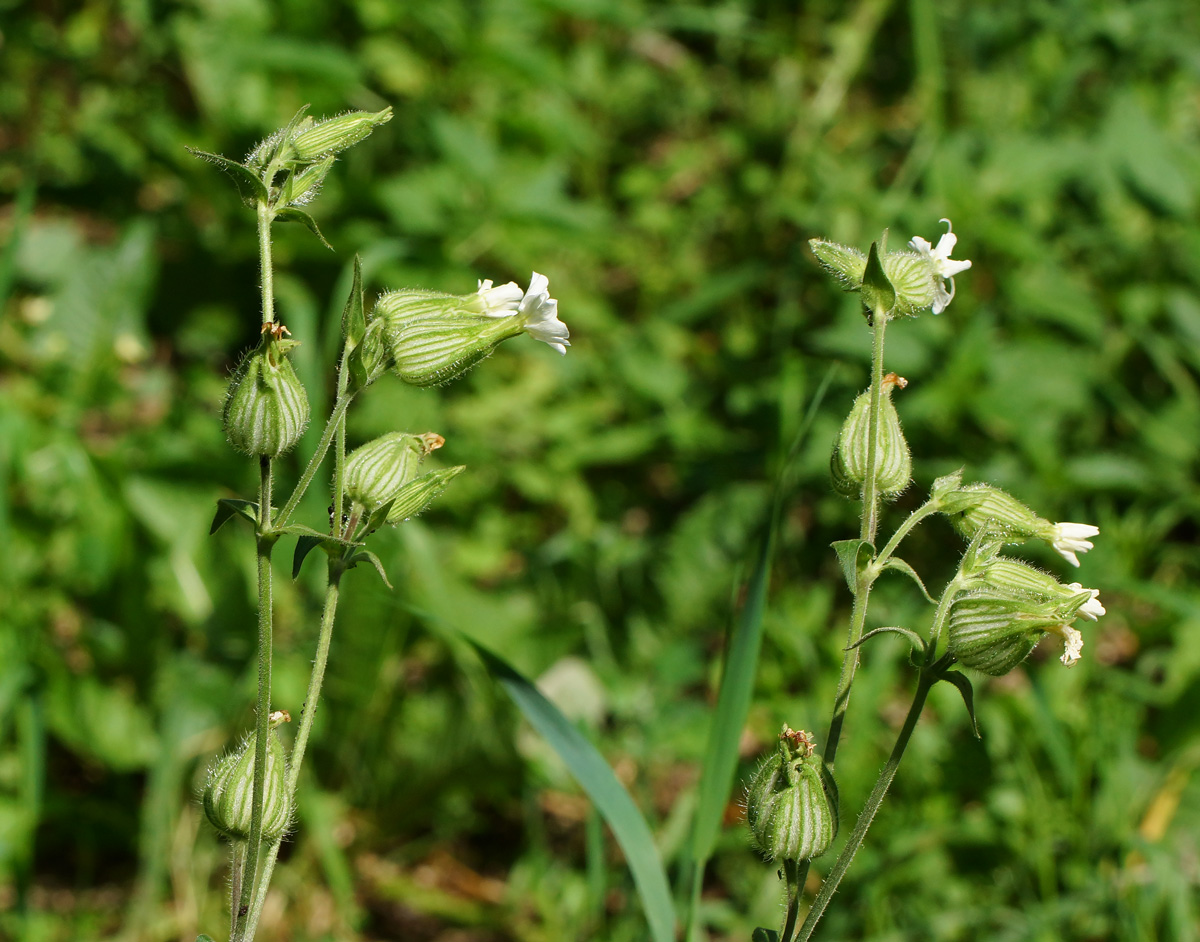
(437, 338)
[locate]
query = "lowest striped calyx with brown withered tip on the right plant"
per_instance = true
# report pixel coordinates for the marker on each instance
(793, 802)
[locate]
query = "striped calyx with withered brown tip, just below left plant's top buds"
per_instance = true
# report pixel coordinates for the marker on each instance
(267, 407)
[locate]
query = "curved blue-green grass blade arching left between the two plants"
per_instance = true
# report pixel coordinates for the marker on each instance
(603, 788)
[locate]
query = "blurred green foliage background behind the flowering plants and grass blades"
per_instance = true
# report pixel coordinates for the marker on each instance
(664, 164)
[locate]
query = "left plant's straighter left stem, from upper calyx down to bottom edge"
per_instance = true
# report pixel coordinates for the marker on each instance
(266, 545)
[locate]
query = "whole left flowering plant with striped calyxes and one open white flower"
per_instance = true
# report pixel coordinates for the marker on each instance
(424, 338)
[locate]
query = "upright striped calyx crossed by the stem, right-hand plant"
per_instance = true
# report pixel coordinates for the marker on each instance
(851, 452)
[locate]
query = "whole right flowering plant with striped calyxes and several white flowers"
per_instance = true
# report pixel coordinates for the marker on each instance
(988, 619)
